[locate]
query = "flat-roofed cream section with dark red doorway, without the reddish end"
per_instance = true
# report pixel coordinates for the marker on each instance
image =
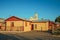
(40, 25)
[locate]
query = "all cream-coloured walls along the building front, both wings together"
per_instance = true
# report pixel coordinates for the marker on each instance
(17, 24)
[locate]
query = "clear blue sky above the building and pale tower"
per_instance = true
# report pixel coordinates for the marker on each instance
(47, 9)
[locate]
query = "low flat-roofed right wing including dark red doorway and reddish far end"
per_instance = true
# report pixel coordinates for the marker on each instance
(43, 25)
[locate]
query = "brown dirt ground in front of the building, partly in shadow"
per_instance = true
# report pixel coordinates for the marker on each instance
(33, 35)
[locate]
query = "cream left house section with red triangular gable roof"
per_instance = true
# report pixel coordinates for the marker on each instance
(17, 24)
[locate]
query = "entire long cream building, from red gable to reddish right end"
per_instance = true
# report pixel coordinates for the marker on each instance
(17, 24)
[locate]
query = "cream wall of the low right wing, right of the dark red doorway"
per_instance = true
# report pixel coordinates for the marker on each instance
(41, 26)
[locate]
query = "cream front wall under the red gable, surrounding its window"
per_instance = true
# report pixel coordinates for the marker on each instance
(17, 25)
